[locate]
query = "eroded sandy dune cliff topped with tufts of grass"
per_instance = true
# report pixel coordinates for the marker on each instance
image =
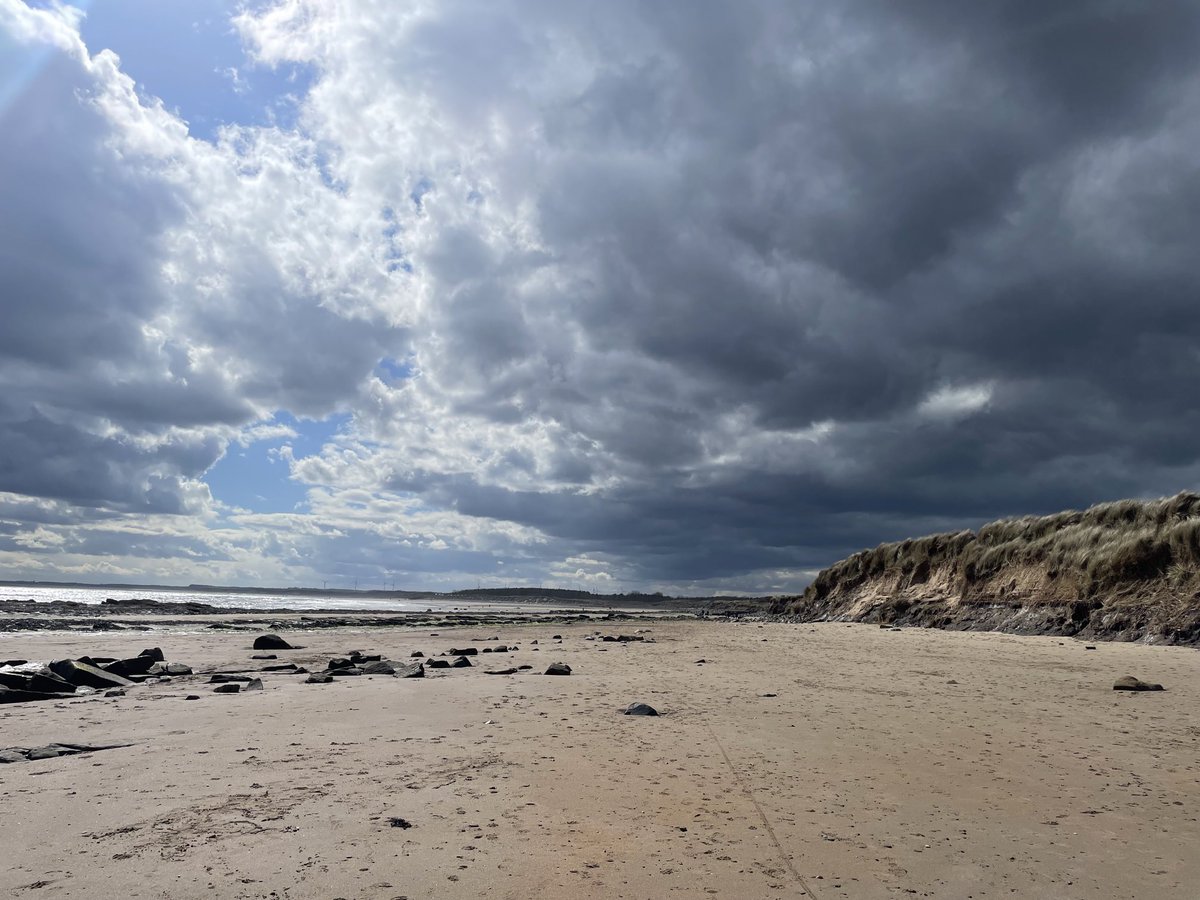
(1127, 571)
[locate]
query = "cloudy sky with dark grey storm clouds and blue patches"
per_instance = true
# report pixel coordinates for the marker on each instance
(686, 297)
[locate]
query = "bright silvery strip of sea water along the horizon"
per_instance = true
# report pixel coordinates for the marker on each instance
(261, 602)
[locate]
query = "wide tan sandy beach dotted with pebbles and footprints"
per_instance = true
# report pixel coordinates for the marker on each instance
(796, 761)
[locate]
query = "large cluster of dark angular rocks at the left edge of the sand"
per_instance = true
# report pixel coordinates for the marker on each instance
(23, 682)
